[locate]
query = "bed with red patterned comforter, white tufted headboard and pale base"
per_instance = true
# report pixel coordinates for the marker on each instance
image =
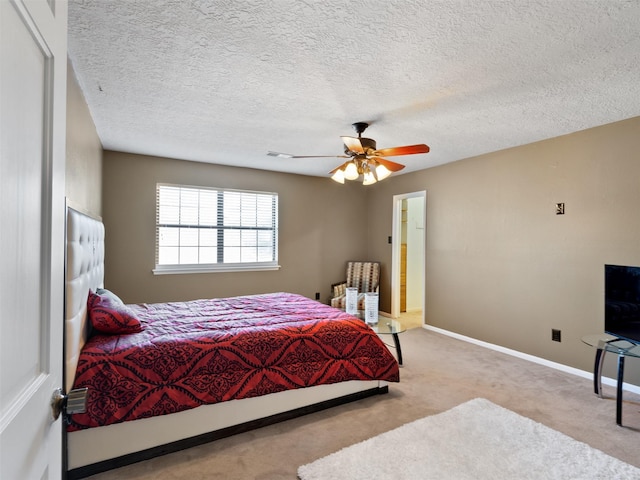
(226, 365)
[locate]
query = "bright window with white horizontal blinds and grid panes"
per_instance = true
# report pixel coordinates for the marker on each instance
(212, 229)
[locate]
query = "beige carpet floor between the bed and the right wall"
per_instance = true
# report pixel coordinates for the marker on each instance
(438, 373)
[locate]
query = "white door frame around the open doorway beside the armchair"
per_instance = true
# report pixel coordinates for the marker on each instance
(395, 248)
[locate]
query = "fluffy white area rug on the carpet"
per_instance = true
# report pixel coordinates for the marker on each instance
(475, 440)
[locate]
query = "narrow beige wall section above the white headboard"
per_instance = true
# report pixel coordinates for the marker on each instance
(84, 152)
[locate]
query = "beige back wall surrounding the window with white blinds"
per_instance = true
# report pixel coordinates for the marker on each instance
(321, 225)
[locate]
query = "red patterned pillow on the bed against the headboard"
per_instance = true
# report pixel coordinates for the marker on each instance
(108, 315)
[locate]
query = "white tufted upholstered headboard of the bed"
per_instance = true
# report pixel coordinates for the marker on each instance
(84, 272)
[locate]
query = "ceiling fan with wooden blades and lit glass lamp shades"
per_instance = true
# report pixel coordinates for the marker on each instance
(364, 158)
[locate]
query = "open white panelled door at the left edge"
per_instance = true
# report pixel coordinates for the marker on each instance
(32, 149)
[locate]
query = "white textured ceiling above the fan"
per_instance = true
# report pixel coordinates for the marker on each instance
(226, 81)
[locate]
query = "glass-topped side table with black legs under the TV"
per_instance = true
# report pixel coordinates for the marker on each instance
(623, 348)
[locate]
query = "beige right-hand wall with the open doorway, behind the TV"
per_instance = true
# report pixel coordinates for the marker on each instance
(501, 266)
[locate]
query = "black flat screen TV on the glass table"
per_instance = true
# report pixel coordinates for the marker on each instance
(622, 302)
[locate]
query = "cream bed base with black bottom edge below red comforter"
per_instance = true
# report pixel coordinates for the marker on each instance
(97, 450)
